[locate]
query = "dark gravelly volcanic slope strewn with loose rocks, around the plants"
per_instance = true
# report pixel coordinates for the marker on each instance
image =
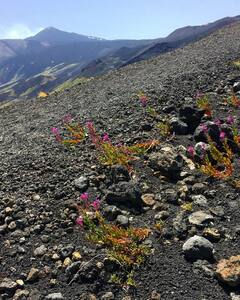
(44, 254)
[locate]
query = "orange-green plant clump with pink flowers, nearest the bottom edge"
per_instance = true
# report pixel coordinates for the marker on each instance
(124, 245)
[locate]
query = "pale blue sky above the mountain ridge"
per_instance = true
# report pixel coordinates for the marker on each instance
(110, 19)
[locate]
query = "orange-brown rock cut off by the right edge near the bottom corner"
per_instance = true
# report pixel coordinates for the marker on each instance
(228, 271)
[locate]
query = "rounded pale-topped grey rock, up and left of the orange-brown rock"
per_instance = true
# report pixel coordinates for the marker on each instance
(197, 247)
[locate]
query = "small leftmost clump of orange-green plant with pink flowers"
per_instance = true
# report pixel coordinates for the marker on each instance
(72, 134)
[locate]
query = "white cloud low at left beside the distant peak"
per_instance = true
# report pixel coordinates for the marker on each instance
(17, 31)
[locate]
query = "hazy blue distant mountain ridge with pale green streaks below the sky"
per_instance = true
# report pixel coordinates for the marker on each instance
(53, 56)
